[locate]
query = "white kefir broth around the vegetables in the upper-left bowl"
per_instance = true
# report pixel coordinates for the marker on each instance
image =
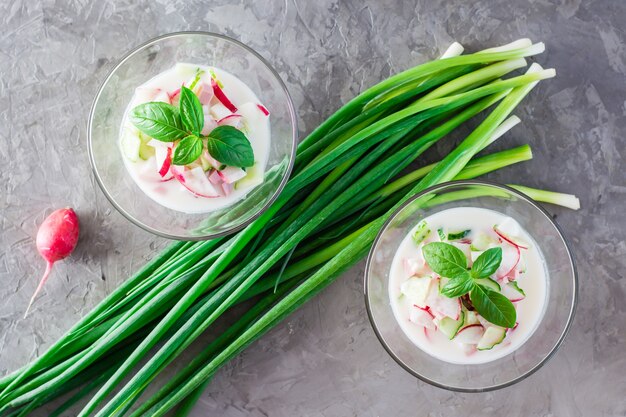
(172, 194)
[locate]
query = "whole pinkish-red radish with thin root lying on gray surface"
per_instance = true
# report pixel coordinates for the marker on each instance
(56, 239)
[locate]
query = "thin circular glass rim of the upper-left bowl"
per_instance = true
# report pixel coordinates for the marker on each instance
(294, 136)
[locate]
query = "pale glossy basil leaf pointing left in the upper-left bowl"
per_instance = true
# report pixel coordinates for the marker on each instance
(160, 121)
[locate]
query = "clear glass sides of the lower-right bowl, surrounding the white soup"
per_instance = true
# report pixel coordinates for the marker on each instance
(561, 289)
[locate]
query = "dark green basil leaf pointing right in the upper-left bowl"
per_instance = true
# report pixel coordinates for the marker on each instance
(230, 146)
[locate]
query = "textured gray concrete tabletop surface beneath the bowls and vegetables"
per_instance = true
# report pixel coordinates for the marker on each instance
(325, 360)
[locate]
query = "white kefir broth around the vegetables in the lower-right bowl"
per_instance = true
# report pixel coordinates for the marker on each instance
(529, 310)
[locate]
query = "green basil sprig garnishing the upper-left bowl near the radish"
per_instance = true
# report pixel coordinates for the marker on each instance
(167, 123)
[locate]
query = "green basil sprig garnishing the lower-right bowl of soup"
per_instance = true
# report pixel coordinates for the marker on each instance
(449, 261)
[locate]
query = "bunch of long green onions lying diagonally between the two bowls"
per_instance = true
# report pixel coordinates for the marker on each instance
(347, 181)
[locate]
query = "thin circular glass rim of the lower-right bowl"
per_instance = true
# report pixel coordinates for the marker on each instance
(570, 256)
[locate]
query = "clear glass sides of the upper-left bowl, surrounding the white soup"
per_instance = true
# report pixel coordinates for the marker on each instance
(152, 58)
